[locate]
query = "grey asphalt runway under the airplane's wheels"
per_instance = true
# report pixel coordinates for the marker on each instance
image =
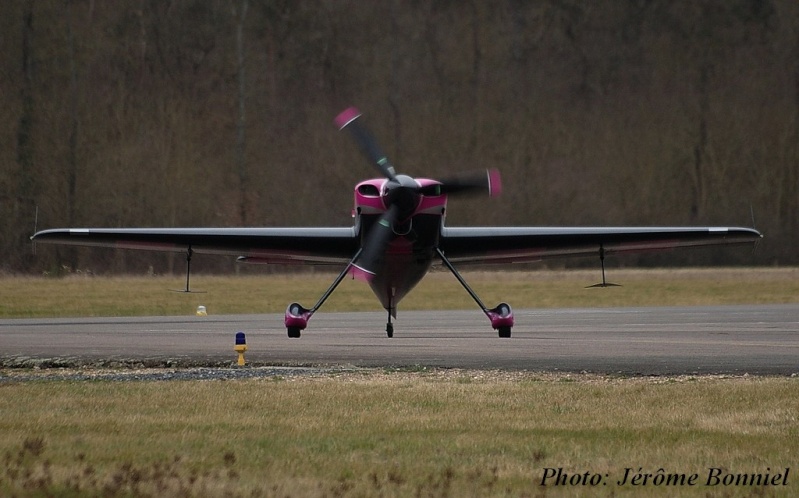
(637, 341)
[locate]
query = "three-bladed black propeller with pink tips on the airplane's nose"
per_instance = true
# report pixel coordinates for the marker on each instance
(401, 193)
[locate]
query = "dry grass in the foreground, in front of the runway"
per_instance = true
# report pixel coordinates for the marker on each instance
(429, 433)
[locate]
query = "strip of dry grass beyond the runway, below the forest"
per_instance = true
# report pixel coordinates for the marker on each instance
(81, 295)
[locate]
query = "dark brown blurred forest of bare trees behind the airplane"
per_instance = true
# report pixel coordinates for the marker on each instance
(125, 113)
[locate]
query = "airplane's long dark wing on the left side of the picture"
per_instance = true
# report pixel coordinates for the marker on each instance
(260, 245)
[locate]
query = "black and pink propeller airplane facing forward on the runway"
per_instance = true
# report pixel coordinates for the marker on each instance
(398, 234)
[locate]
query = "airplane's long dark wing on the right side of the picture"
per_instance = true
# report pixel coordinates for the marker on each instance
(526, 244)
